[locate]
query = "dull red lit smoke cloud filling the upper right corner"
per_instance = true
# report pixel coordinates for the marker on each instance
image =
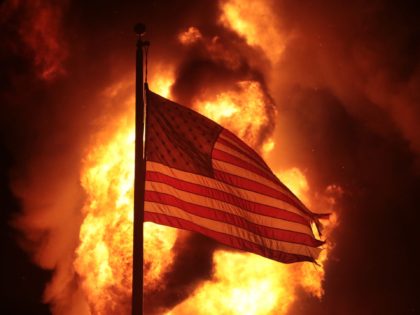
(365, 54)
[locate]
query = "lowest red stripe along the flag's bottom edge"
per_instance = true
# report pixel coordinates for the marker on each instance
(226, 239)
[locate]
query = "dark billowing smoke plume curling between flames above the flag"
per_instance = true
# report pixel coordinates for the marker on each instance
(212, 64)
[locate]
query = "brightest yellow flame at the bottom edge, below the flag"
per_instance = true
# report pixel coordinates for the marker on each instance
(242, 284)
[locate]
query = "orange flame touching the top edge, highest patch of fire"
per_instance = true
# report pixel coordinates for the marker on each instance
(256, 23)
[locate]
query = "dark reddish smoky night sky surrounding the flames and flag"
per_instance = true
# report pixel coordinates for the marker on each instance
(347, 93)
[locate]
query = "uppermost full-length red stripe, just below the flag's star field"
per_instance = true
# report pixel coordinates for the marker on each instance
(205, 191)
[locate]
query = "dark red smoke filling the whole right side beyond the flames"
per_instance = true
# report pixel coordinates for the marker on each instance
(348, 105)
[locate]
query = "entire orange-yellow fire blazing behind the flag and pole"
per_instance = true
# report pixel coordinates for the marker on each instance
(242, 283)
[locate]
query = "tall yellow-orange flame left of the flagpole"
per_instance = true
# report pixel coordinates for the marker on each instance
(104, 255)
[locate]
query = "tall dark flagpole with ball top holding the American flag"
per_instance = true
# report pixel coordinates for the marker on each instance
(139, 177)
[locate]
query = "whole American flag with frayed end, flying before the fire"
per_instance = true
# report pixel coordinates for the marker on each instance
(200, 177)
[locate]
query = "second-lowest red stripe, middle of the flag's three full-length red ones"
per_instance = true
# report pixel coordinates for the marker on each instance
(228, 218)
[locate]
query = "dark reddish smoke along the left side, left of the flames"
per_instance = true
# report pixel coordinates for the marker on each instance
(46, 122)
